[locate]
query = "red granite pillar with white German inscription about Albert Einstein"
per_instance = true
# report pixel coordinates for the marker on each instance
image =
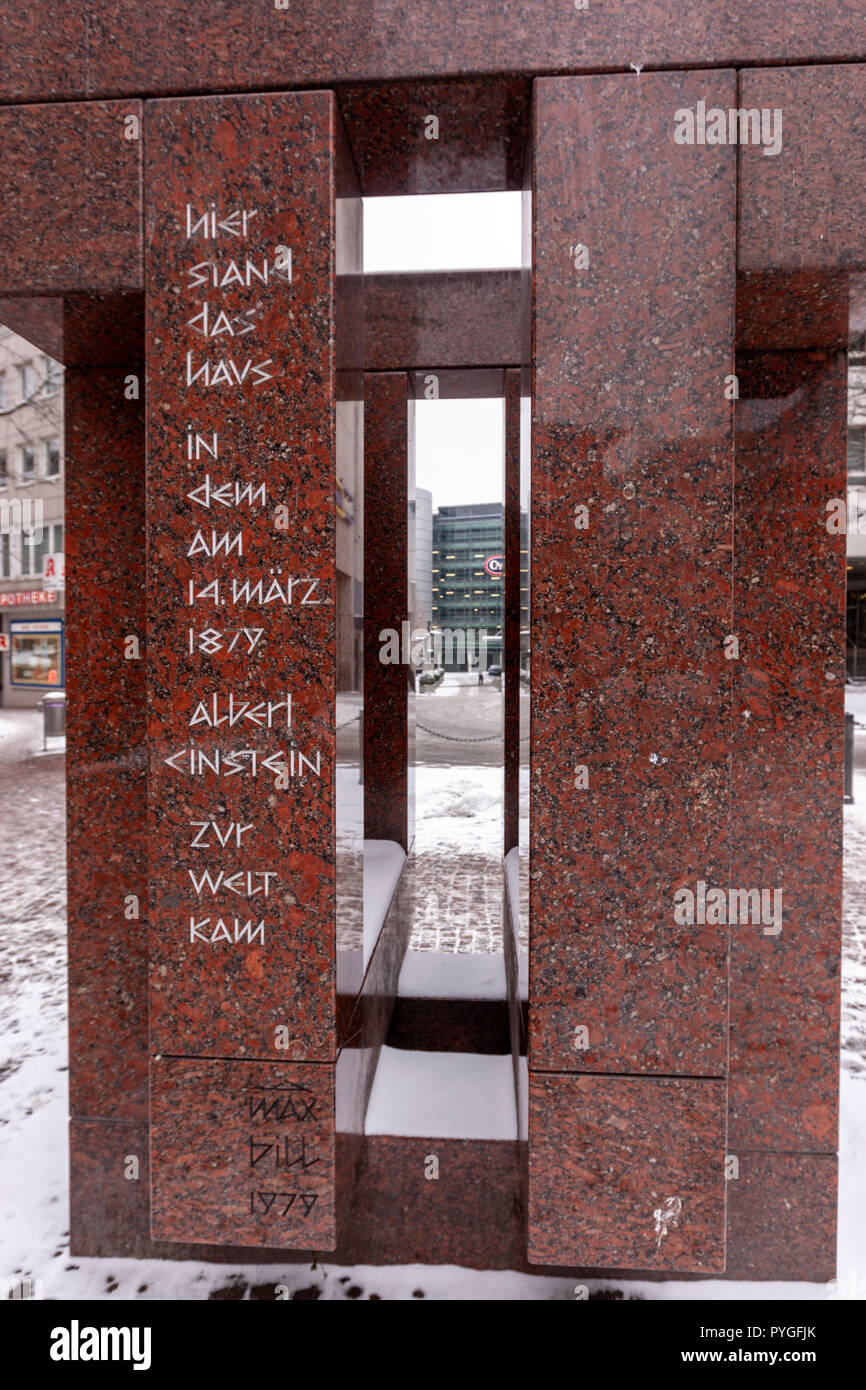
(251, 641)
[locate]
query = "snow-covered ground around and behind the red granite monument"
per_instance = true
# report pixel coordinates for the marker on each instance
(34, 1178)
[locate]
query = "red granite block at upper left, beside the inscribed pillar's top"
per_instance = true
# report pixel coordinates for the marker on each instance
(73, 213)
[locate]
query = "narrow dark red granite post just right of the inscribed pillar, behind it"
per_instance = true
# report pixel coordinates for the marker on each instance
(387, 686)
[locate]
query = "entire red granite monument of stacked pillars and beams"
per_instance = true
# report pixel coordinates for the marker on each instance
(181, 229)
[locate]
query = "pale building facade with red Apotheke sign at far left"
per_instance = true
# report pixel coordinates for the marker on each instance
(31, 523)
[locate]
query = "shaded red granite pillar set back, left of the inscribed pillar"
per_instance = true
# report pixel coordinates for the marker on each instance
(106, 775)
